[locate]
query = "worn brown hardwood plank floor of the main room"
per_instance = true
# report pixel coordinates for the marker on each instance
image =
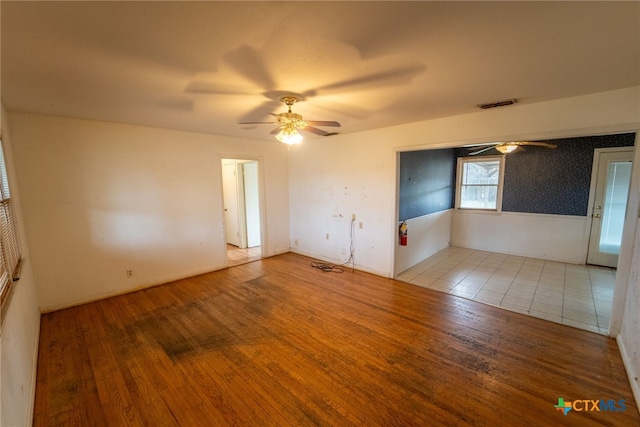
(276, 342)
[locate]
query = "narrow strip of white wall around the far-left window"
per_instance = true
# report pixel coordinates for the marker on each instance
(20, 328)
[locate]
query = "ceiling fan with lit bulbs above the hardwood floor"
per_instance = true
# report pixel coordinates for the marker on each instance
(288, 124)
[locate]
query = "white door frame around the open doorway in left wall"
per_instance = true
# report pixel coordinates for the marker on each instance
(261, 202)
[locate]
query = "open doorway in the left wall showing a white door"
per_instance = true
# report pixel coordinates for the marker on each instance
(241, 200)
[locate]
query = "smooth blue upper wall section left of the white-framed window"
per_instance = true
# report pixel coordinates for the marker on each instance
(427, 182)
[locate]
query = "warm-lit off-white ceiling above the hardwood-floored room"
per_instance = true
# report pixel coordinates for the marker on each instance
(205, 66)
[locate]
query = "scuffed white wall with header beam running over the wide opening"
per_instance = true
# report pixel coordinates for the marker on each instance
(357, 173)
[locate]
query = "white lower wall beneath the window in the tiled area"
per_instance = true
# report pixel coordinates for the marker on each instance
(563, 238)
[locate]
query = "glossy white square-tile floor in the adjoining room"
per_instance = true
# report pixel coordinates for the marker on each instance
(575, 295)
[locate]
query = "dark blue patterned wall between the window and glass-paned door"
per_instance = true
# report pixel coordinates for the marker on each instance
(554, 181)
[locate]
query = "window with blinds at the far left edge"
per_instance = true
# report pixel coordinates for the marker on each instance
(9, 248)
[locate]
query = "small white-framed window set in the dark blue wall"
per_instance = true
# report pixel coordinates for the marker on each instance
(479, 183)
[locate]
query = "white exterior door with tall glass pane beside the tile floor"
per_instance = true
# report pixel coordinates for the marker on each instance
(612, 169)
